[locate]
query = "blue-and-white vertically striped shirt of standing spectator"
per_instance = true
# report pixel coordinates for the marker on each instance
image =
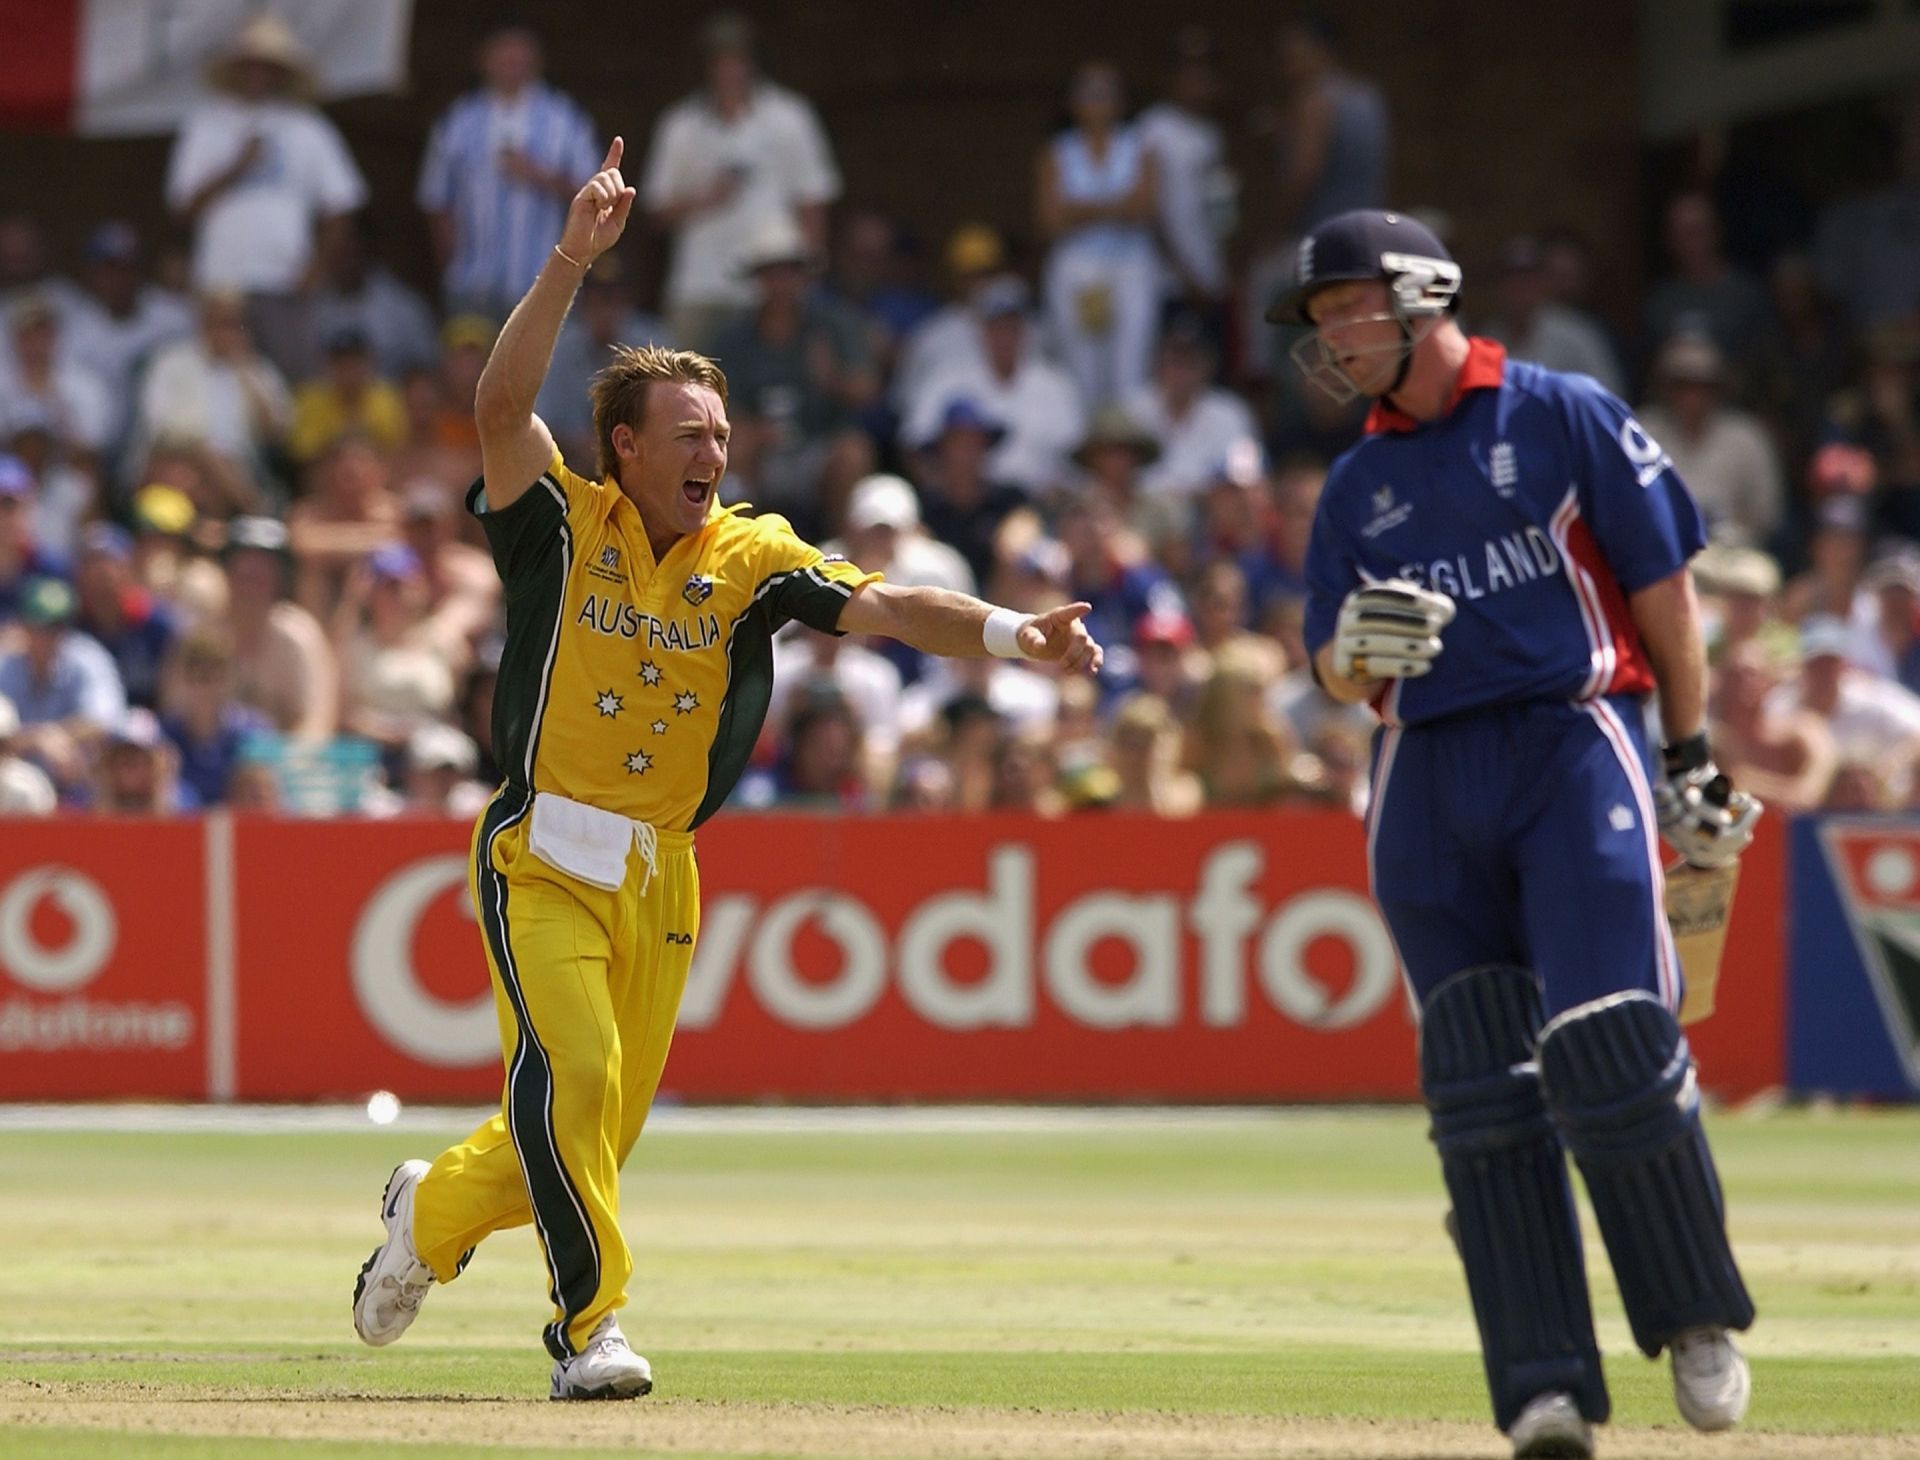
(504, 228)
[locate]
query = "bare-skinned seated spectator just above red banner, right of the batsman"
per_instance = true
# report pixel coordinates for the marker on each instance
(1787, 754)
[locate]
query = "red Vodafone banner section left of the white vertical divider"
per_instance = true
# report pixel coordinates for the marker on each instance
(103, 961)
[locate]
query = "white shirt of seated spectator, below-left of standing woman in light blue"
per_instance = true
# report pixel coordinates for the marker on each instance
(1040, 406)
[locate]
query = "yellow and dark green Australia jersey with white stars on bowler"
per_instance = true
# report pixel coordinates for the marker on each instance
(631, 685)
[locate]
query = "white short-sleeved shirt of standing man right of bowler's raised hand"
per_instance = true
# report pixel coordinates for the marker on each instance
(782, 158)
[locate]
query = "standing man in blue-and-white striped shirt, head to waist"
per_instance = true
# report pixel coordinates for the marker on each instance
(502, 164)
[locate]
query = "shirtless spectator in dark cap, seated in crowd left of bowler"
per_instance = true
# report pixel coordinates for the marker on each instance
(283, 666)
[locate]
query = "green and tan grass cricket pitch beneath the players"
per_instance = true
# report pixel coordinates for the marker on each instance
(1136, 1284)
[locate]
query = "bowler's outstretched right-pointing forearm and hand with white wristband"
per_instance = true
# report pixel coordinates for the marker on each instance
(963, 627)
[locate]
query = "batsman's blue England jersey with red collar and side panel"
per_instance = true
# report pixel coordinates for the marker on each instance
(1539, 506)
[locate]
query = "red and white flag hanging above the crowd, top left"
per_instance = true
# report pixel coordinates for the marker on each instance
(132, 68)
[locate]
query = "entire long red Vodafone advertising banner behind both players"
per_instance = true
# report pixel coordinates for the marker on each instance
(840, 960)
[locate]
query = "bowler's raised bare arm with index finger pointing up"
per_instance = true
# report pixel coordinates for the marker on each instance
(516, 445)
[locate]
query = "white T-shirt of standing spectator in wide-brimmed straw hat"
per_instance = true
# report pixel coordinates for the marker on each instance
(258, 235)
